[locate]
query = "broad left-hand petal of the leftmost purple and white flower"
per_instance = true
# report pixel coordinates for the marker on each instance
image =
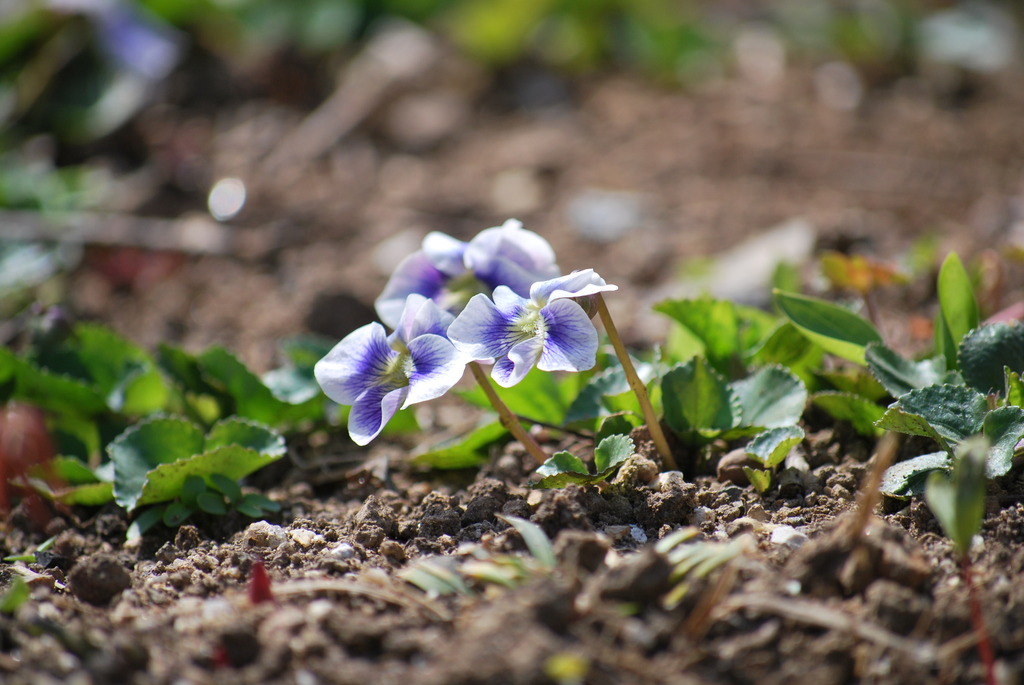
(355, 365)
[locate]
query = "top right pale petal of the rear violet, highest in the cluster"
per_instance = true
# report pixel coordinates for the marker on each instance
(510, 255)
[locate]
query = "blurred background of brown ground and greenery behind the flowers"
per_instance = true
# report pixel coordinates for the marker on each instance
(237, 172)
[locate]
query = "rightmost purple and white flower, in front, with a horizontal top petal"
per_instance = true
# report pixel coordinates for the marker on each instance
(550, 330)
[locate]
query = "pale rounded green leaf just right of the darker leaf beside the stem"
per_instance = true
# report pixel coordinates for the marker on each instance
(772, 398)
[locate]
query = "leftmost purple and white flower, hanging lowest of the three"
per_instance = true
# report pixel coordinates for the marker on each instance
(378, 374)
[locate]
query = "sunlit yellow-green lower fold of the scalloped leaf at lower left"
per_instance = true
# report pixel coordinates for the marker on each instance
(164, 483)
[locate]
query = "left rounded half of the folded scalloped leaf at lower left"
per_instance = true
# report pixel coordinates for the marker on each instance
(146, 446)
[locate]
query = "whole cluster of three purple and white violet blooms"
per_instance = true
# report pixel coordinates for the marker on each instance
(498, 298)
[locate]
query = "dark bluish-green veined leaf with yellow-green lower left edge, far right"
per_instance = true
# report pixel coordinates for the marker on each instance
(946, 413)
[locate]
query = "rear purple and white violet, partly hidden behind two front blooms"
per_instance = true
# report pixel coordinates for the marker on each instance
(452, 272)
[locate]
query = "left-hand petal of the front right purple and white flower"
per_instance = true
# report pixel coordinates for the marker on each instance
(485, 332)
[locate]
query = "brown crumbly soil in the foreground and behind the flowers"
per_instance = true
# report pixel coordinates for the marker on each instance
(813, 587)
